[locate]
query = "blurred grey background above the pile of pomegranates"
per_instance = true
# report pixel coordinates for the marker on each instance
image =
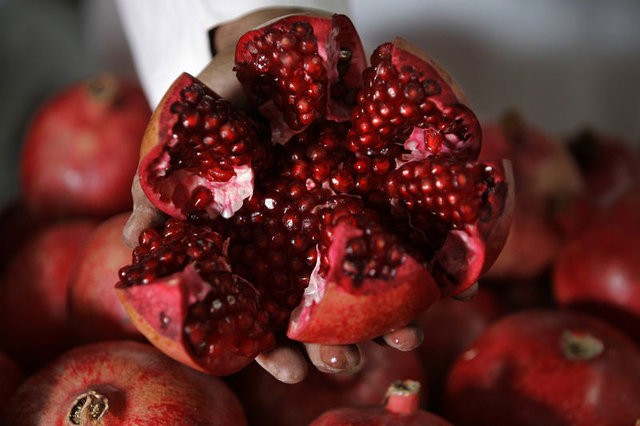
(563, 65)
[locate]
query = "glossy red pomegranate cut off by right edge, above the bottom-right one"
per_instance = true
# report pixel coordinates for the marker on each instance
(599, 270)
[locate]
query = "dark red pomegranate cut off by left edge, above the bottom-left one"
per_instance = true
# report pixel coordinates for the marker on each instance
(33, 293)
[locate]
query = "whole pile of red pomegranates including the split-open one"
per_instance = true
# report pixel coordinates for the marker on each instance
(347, 196)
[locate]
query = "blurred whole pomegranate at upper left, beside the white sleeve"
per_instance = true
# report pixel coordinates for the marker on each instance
(63, 168)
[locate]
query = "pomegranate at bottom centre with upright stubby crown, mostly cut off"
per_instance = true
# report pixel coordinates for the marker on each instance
(401, 407)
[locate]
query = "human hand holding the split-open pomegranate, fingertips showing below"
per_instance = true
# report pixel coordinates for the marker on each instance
(288, 361)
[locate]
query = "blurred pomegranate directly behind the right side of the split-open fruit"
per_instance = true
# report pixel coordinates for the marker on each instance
(547, 180)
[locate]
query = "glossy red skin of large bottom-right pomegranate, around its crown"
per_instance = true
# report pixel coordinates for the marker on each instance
(516, 373)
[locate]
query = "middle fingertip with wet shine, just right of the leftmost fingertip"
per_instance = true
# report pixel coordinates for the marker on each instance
(335, 358)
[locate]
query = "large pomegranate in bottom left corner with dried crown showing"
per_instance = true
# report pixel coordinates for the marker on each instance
(121, 382)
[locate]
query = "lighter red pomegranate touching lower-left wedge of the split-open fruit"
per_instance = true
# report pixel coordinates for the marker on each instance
(95, 313)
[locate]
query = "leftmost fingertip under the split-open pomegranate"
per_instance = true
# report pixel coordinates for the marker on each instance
(285, 363)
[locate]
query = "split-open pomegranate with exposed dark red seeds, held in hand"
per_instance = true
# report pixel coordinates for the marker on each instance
(342, 228)
